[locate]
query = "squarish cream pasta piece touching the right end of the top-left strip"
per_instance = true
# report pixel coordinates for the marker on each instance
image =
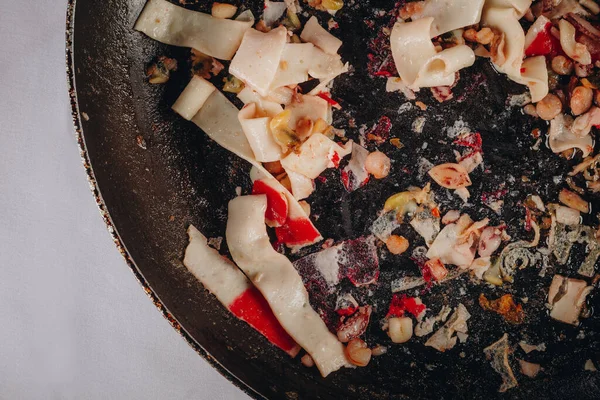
(257, 60)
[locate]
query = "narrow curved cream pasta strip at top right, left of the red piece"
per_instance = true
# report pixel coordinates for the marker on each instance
(511, 52)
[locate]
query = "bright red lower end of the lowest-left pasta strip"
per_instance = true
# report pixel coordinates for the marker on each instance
(252, 308)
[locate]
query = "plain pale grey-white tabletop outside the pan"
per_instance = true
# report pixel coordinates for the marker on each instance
(74, 322)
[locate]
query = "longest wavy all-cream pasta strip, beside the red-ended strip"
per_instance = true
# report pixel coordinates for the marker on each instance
(277, 279)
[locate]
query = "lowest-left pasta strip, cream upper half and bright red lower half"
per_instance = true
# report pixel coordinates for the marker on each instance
(233, 289)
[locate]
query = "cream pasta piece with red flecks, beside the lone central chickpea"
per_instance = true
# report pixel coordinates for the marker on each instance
(315, 155)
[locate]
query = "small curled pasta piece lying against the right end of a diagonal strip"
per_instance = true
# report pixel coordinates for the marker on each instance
(259, 136)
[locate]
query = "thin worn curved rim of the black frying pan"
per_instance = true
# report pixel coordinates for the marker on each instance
(94, 188)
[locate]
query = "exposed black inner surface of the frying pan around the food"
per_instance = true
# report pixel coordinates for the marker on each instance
(154, 174)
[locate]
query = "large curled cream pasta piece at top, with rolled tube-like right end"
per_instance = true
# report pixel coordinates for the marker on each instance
(417, 61)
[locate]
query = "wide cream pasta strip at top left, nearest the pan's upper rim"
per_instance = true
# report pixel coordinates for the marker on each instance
(176, 26)
